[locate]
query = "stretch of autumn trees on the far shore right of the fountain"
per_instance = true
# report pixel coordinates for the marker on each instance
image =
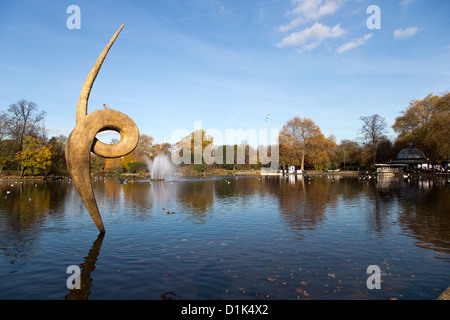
(302, 144)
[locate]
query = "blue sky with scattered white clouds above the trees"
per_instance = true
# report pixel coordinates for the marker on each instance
(226, 63)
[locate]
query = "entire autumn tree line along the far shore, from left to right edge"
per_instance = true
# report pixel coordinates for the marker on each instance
(26, 148)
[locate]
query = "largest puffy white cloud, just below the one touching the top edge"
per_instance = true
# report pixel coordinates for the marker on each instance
(310, 38)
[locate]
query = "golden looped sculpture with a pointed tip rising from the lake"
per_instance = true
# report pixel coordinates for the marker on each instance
(82, 140)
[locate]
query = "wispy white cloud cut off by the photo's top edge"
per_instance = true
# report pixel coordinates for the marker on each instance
(310, 10)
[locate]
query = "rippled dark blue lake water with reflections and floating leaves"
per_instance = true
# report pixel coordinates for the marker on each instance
(256, 238)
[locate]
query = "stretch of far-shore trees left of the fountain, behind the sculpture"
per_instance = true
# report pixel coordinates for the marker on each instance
(26, 148)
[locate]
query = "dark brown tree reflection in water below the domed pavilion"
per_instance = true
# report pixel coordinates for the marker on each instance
(419, 205)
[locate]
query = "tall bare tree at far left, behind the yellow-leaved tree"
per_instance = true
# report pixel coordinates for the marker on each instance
(24, 120)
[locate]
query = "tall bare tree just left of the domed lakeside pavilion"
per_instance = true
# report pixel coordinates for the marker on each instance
(372, 131)
